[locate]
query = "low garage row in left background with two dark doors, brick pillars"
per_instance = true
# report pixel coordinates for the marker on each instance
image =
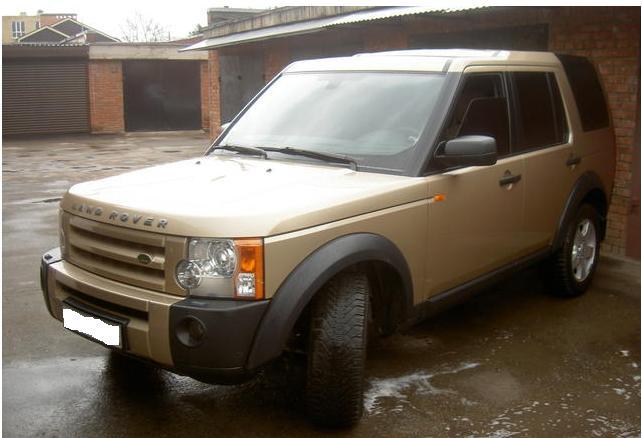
(103, 88)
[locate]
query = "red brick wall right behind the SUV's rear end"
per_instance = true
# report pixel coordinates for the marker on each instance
(610, 37)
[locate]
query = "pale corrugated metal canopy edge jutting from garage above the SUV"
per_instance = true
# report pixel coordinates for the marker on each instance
(302, 27)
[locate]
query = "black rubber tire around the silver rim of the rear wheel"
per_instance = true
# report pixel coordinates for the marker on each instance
(564, 281)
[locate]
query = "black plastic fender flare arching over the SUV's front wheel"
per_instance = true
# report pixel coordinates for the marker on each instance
(309, 276)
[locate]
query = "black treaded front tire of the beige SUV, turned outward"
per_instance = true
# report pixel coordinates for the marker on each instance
(337, 351)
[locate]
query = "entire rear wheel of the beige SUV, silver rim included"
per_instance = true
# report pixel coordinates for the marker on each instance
(574, 264)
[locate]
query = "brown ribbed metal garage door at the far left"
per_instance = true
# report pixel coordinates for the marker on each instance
(44, 96)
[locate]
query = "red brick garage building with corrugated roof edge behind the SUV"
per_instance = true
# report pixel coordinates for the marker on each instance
(246, 54)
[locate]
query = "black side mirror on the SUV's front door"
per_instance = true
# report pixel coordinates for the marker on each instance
(468, 150)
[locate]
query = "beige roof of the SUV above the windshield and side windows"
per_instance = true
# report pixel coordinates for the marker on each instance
(433, 60)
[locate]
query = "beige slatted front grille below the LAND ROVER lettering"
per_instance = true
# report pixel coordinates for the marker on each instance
(113, 252)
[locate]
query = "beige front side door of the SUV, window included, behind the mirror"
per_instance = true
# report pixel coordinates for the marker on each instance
(477, 227)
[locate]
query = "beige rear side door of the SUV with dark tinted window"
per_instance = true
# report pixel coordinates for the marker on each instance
(541, 138)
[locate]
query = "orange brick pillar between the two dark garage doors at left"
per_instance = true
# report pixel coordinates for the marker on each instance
(106, 106)
